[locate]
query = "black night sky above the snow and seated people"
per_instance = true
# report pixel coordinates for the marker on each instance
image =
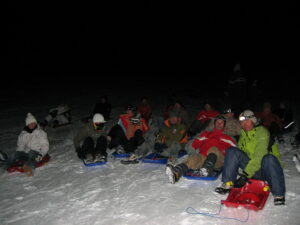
(48, 41)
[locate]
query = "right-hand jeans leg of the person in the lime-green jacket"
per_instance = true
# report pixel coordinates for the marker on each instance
(272, 172)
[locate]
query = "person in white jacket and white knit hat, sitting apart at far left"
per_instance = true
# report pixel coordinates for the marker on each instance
(32, 146)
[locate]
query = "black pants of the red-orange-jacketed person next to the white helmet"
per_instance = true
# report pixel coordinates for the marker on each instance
(118, 137)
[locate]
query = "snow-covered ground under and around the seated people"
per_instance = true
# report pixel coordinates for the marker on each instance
(67, 192)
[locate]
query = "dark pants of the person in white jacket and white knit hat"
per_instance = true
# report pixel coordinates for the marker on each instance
(28, 158)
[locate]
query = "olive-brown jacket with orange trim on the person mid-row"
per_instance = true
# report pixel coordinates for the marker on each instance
(171, 133)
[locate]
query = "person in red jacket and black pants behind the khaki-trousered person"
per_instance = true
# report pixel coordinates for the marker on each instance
(202, 119)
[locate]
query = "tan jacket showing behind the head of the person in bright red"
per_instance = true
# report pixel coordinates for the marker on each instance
(232, 127)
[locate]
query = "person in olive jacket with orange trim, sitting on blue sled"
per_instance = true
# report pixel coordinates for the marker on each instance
(171, 138)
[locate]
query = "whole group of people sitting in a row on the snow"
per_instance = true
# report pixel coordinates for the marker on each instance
(241, 147)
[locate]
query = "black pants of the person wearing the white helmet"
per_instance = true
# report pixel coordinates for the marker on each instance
(89, 147)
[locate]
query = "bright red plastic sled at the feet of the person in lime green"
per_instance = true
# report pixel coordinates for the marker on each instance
(252, 196)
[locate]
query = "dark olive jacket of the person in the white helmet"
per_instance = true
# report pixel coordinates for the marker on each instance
(89, 131)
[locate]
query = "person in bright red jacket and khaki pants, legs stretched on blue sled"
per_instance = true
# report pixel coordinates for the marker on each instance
(210, 147)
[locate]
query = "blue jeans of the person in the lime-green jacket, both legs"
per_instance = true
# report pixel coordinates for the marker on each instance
(270, 171)
